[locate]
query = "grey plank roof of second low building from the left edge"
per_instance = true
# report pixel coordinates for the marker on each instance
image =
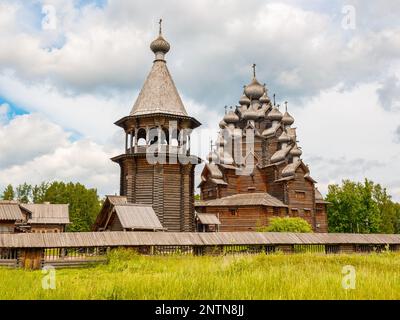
(47, 213)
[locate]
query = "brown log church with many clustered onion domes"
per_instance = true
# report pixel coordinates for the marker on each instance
(255, 172)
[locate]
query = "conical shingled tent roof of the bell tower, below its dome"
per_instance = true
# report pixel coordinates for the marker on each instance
(159, 94)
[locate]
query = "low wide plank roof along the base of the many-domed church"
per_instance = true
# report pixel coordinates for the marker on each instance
(243, 199)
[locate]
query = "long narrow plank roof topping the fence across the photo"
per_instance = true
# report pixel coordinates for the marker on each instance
(119, 238)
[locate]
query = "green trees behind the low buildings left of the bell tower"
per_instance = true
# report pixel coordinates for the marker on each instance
(84, 203)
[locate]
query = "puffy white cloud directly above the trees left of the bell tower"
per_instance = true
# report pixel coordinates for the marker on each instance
(34, 149)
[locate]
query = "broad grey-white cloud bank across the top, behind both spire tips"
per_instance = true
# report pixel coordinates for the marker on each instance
(299, 51)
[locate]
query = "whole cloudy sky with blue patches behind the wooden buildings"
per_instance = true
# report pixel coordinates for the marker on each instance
(70, 69)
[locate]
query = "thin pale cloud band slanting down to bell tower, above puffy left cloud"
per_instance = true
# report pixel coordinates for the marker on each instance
(88, 115)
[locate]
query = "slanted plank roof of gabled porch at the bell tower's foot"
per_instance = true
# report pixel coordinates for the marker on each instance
(135, 216)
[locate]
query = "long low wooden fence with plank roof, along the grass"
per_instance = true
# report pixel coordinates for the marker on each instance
(76, 249)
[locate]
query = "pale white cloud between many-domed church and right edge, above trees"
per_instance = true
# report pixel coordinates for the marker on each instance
(347, 135)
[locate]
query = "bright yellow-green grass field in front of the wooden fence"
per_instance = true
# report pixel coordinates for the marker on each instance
(277, 276)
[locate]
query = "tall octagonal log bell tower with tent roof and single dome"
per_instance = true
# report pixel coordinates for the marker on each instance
(157, 167)
